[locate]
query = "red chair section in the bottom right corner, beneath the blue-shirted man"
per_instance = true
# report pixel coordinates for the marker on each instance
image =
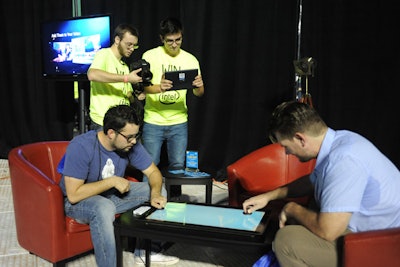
(372, 248)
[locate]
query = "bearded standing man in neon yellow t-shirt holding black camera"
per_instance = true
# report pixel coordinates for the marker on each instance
(110, 77)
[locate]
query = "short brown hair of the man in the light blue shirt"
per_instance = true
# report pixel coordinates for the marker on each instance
(291, 117)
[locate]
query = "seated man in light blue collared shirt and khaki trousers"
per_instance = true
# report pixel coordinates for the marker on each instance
(355, 187)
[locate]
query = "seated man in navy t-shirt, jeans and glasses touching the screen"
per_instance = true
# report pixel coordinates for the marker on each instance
(95, 189)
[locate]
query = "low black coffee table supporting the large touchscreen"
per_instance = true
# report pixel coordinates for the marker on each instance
(128, 225)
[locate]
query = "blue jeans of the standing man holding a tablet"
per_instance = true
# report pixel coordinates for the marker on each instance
(176, 137)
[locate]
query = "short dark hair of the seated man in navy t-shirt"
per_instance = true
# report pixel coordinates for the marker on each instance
(118, 116)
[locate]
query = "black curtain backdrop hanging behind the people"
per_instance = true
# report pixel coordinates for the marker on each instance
(246, 51)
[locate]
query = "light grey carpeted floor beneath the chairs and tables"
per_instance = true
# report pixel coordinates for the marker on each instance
(12, 255)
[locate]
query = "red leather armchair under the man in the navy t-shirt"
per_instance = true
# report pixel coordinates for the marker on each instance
(42, 227)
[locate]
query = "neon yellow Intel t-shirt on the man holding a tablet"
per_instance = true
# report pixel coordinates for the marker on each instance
(167, 108)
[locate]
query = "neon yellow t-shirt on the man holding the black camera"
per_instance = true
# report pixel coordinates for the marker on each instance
(105, 95)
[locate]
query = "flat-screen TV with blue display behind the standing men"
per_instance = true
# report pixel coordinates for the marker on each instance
(69, 45)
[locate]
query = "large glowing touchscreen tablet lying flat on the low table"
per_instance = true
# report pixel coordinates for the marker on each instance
(214, 220)
